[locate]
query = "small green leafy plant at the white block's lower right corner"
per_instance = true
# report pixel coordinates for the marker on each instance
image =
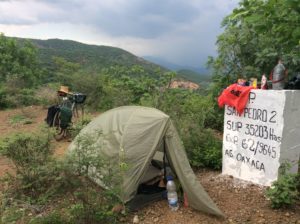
(285, 192)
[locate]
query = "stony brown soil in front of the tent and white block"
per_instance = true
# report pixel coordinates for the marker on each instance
(241, 202)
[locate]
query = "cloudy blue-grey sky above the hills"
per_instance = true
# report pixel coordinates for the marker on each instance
(179, 31)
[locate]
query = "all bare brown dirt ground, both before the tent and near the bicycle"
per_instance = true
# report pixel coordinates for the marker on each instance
(241, 202)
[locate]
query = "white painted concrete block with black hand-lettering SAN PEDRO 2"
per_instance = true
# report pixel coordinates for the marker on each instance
(264, 136)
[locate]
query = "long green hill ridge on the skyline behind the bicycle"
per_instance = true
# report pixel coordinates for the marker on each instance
(90, 57)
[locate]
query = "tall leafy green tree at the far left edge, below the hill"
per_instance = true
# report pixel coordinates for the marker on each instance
(19, 71)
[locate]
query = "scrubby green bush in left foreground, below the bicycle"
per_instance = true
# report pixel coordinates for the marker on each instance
(36, 171)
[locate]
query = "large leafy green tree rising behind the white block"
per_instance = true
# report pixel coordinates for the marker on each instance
(255, 35)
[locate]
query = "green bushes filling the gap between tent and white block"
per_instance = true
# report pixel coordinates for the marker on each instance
(193, 115)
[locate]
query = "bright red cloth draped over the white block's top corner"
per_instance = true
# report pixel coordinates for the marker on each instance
(235, 96)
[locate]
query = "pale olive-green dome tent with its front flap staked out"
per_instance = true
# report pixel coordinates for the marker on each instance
(139, 133)
